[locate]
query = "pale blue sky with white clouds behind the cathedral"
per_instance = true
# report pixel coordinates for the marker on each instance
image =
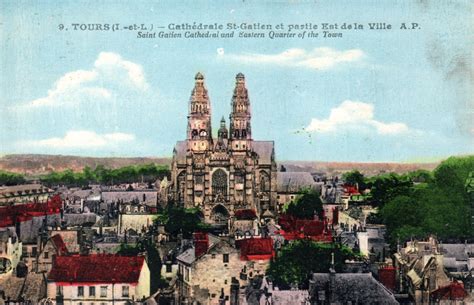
(393, 95)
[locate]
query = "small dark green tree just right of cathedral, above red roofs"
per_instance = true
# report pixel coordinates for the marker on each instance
(306, 205)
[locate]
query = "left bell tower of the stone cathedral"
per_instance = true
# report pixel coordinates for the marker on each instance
(199, 118)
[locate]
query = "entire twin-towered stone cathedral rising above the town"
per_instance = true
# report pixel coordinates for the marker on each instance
(225, 174)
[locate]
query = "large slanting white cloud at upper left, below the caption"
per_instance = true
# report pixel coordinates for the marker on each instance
(110, 71)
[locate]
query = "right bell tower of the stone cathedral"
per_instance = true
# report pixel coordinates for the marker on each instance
(240, 137)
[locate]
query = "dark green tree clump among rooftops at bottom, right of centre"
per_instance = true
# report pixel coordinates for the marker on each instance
(298, 260)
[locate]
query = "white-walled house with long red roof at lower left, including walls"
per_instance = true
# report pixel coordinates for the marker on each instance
(98, 278)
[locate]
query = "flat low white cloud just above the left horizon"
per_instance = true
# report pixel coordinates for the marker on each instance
(82, 139)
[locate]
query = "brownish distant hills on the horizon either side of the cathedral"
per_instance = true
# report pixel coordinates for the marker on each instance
(32, 164)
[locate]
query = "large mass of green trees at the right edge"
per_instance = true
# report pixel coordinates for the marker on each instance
(439, 207)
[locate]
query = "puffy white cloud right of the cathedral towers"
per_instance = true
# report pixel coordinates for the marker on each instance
(355, 115)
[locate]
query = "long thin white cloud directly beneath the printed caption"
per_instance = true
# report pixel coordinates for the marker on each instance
(319, 58)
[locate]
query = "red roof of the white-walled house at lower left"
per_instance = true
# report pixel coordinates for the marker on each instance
(97, 268)
